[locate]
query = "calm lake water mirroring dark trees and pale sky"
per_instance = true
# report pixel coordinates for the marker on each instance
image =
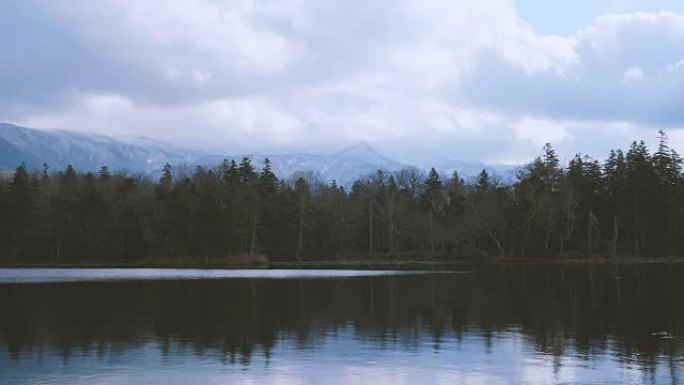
(496, 325)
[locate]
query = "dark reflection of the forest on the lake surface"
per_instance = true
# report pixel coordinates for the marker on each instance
(634, 313)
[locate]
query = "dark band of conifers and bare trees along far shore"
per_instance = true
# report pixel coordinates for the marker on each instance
(630, 205)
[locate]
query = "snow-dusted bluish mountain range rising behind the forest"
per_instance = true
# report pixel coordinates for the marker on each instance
(87, 152)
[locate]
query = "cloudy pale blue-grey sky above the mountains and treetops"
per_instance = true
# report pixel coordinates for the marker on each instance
(419, 80)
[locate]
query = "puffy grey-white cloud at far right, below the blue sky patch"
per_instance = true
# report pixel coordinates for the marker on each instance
(625, 70)
